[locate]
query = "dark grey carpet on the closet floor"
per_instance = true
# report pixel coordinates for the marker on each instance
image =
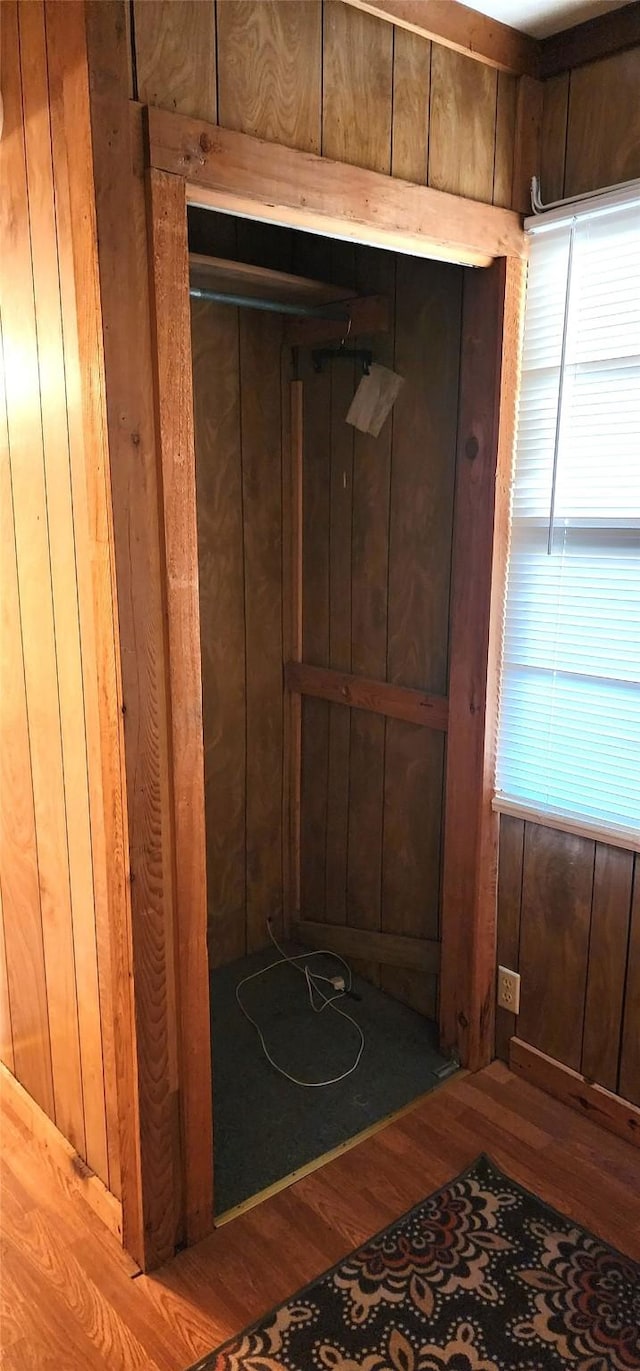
(265, 1126)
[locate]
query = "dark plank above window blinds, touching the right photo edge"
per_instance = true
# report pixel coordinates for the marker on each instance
(604, 135)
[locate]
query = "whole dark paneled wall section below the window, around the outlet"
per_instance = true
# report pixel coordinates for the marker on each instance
(569, 922)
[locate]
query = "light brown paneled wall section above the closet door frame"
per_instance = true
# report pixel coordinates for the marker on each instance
(320, 76)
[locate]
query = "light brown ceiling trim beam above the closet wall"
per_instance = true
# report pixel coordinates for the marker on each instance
(457, 27)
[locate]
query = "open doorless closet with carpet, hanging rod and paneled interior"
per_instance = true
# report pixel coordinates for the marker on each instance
(324, 559)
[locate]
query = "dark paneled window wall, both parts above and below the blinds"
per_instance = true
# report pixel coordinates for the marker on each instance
(569, 908)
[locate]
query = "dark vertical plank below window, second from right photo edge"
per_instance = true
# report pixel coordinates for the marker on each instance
(613, 879)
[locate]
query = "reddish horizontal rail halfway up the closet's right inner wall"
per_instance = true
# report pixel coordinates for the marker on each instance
(376, 697)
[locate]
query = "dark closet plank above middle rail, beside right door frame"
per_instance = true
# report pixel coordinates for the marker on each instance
(428, 346)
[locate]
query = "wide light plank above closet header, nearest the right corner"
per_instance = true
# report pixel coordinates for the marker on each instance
(463, 125)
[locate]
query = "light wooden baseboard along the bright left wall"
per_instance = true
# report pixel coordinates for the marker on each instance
(79, 1177)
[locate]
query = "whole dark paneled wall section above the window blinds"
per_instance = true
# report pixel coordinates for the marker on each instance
(591, 127)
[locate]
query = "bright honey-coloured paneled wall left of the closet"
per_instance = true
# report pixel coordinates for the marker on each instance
(62, 856)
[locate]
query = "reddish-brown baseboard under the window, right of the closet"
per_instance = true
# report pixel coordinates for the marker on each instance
(593, 1102)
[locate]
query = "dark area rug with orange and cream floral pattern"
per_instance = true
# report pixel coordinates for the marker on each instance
(480, 1277)
